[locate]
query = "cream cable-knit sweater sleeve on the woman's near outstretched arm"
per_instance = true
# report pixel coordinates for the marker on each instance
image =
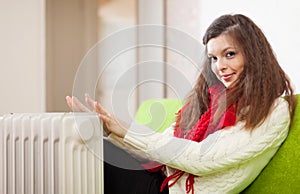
(223, 149)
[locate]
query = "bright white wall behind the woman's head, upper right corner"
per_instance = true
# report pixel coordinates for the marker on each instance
(278, 19)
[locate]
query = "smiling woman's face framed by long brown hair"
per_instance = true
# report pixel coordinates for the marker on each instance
(227, 61)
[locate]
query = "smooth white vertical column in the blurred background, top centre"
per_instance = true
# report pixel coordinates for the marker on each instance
(150, 59)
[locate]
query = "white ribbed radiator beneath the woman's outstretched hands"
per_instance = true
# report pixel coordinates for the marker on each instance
(51, 153)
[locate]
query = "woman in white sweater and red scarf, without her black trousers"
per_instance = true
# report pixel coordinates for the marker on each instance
(233, 121)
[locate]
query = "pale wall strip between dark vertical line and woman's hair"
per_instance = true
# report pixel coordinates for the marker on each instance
(183, 47)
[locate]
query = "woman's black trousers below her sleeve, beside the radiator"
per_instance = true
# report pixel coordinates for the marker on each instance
(123, 174)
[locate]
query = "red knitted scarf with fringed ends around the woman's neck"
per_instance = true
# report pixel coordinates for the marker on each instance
(201, 130)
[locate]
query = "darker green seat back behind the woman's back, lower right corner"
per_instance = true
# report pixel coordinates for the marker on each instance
(282, 174)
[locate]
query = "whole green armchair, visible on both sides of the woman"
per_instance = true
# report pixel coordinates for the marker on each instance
(281, 175)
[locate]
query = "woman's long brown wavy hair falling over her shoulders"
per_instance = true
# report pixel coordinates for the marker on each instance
(261, 82)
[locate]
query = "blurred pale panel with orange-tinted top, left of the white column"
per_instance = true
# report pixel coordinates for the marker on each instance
(117, 74)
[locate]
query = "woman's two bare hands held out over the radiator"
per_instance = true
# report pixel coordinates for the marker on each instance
(111, 123)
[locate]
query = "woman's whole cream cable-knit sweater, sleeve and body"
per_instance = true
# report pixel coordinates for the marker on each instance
(227, 161)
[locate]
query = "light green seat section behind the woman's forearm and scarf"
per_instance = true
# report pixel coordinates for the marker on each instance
(158, 114)
